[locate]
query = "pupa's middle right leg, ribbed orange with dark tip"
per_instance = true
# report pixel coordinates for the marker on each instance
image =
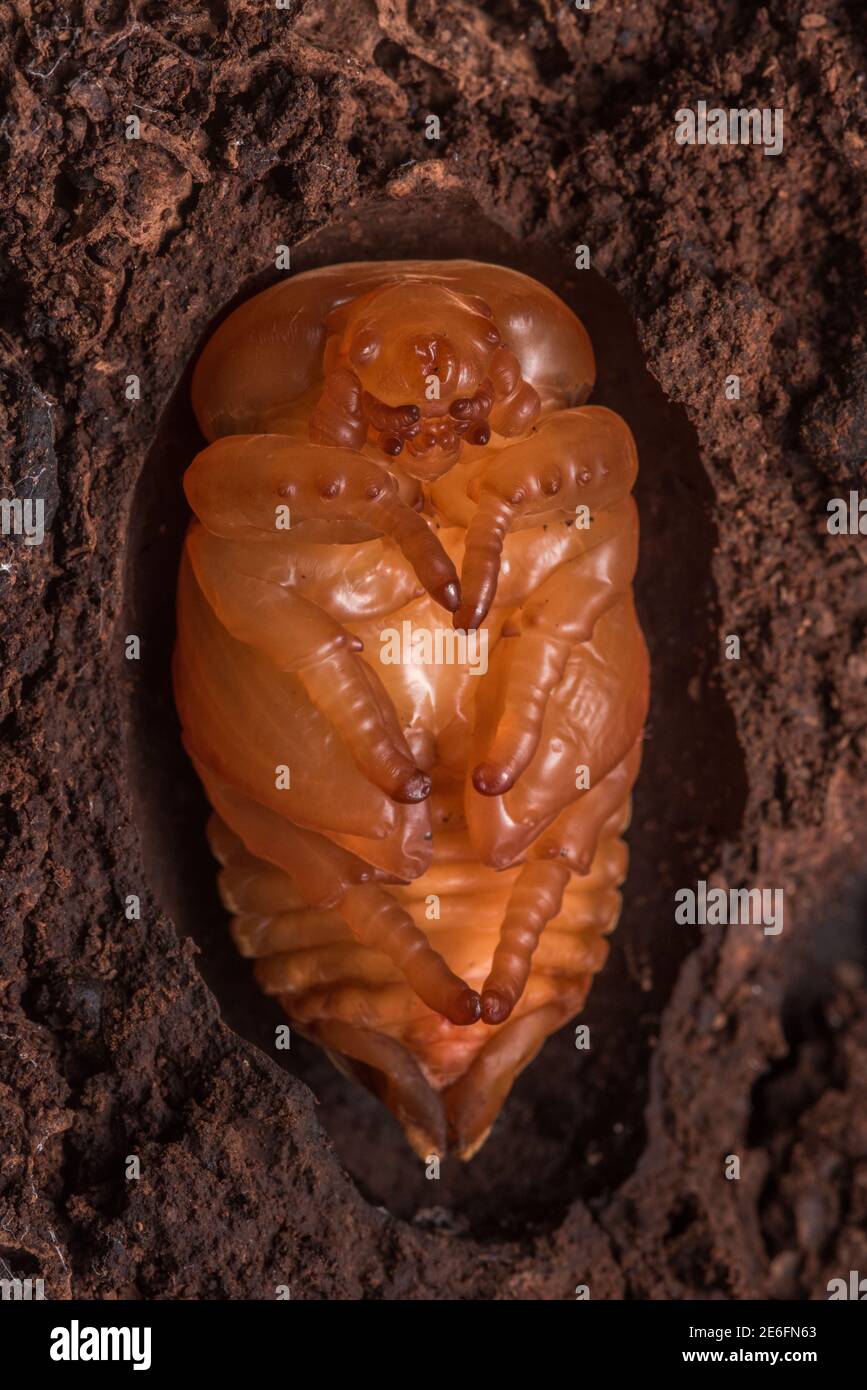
(565, 611)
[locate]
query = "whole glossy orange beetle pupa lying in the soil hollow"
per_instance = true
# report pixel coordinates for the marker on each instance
(409, 669)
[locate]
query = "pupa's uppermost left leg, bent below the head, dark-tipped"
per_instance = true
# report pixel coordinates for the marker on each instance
(249, 487)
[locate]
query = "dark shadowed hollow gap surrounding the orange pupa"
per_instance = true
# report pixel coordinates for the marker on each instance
(573, 1127)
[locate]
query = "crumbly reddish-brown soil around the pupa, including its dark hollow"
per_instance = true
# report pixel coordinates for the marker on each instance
(306, 127)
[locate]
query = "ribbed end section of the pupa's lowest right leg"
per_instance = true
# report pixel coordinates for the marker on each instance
(534, 901)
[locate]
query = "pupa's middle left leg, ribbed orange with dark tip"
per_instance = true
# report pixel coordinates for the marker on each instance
(298, 636)
